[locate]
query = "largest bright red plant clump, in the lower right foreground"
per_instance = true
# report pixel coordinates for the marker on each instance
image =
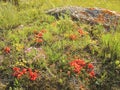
(78, 65)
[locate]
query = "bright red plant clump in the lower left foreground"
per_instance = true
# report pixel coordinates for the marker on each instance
(18, 72)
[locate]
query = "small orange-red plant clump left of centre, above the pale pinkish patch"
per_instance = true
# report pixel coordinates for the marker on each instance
(39, 36)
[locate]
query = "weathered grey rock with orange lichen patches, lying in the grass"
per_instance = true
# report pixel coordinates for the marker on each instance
(92, 15)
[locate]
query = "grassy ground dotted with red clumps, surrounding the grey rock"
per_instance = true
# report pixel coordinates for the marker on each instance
(42, 53)
